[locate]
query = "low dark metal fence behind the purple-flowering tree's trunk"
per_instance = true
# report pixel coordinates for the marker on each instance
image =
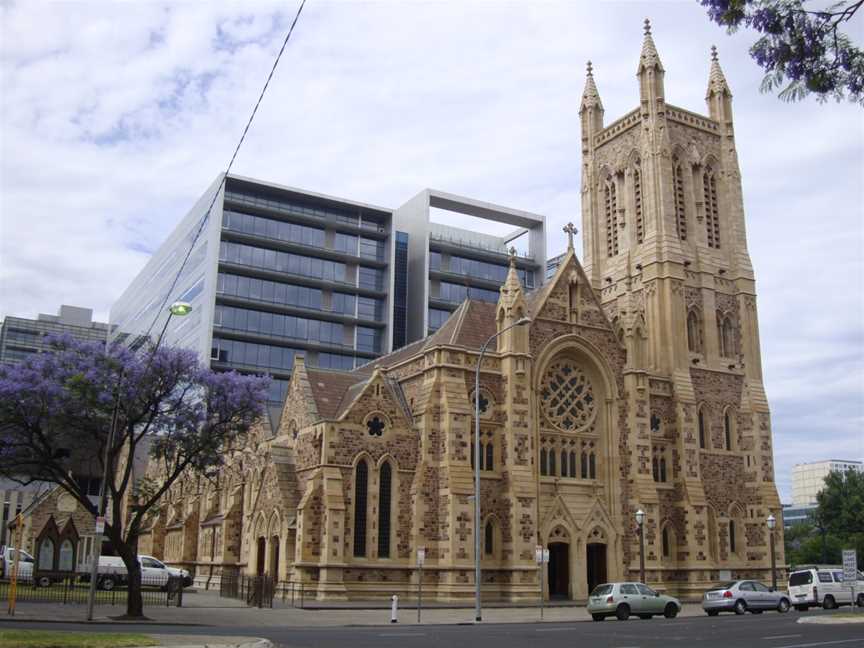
(73, 589)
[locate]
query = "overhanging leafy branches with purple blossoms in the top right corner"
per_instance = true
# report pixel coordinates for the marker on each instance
(801, 48)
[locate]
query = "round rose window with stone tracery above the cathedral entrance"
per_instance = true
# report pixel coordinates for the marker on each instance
(567, 396)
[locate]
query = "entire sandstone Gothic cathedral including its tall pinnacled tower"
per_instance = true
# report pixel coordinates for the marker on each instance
(635, 385)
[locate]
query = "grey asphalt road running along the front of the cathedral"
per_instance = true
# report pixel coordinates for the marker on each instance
(762, 631)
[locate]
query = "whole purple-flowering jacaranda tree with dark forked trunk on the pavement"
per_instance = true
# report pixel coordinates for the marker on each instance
(56, 413)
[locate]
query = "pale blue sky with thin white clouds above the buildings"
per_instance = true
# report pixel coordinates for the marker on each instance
(116, 116)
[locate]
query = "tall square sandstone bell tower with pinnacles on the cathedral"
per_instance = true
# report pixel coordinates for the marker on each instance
(665, 249)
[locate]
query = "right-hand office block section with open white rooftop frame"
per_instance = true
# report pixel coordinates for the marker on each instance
(447, 265)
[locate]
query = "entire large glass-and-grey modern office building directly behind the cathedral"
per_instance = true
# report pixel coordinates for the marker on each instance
(278, 271)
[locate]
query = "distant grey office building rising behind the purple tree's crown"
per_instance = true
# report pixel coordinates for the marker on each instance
(21, 337)
